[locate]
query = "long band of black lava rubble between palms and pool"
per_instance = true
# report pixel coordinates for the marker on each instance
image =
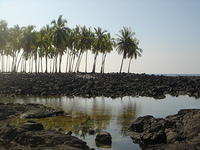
(89, 85)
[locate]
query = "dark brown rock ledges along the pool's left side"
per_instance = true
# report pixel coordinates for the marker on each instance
(32, 135)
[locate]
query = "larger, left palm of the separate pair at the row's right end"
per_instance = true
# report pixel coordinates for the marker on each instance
(125, 43)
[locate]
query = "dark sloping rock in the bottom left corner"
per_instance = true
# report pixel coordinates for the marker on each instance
(26, 138)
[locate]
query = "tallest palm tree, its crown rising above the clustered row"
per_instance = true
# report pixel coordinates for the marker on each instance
(59, 38)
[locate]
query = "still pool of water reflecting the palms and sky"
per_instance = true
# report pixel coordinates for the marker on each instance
(106, 114)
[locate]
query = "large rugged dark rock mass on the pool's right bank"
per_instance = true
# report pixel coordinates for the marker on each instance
(176, 132)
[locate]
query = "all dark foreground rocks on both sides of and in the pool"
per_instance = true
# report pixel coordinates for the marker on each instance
(175, 132)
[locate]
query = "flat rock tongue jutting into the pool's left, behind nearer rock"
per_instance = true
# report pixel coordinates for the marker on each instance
(27, 111)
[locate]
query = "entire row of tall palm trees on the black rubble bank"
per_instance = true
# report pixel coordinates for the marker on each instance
(23, 49)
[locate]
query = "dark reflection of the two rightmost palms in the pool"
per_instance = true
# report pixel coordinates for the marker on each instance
(126, 116)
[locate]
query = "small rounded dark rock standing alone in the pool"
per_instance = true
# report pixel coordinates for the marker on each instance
(103, 138)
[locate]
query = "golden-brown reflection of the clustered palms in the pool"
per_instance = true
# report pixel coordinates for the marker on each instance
(80, 121)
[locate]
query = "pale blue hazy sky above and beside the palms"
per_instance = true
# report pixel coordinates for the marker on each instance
(168, 30)
